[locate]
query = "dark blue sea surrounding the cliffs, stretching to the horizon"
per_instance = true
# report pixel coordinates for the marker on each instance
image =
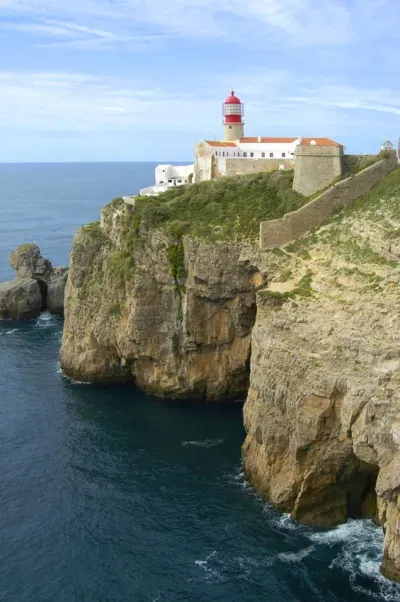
(108, 495)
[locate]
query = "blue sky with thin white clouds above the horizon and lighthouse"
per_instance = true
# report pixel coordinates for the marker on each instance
(143, 80)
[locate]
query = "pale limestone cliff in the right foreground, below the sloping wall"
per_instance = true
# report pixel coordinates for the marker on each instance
(323, 409)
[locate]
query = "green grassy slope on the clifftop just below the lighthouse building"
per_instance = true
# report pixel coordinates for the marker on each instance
(229, 208)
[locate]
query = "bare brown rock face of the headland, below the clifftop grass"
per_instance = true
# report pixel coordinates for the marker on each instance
(171, 312)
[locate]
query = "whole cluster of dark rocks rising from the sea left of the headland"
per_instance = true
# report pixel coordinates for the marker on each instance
(37, 287)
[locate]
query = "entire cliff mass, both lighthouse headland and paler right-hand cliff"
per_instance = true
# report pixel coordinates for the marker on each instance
(174, 293)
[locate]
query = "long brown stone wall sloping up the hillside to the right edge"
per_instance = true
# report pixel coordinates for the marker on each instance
(278, 232)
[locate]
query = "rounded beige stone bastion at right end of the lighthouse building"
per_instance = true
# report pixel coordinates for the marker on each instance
(316, 167)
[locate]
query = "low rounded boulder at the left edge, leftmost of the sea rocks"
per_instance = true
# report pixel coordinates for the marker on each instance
(20, 299)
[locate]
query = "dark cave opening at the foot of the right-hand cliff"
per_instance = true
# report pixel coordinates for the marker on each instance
(361, 496)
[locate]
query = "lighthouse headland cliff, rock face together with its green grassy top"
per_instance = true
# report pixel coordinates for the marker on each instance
(159, 293)
